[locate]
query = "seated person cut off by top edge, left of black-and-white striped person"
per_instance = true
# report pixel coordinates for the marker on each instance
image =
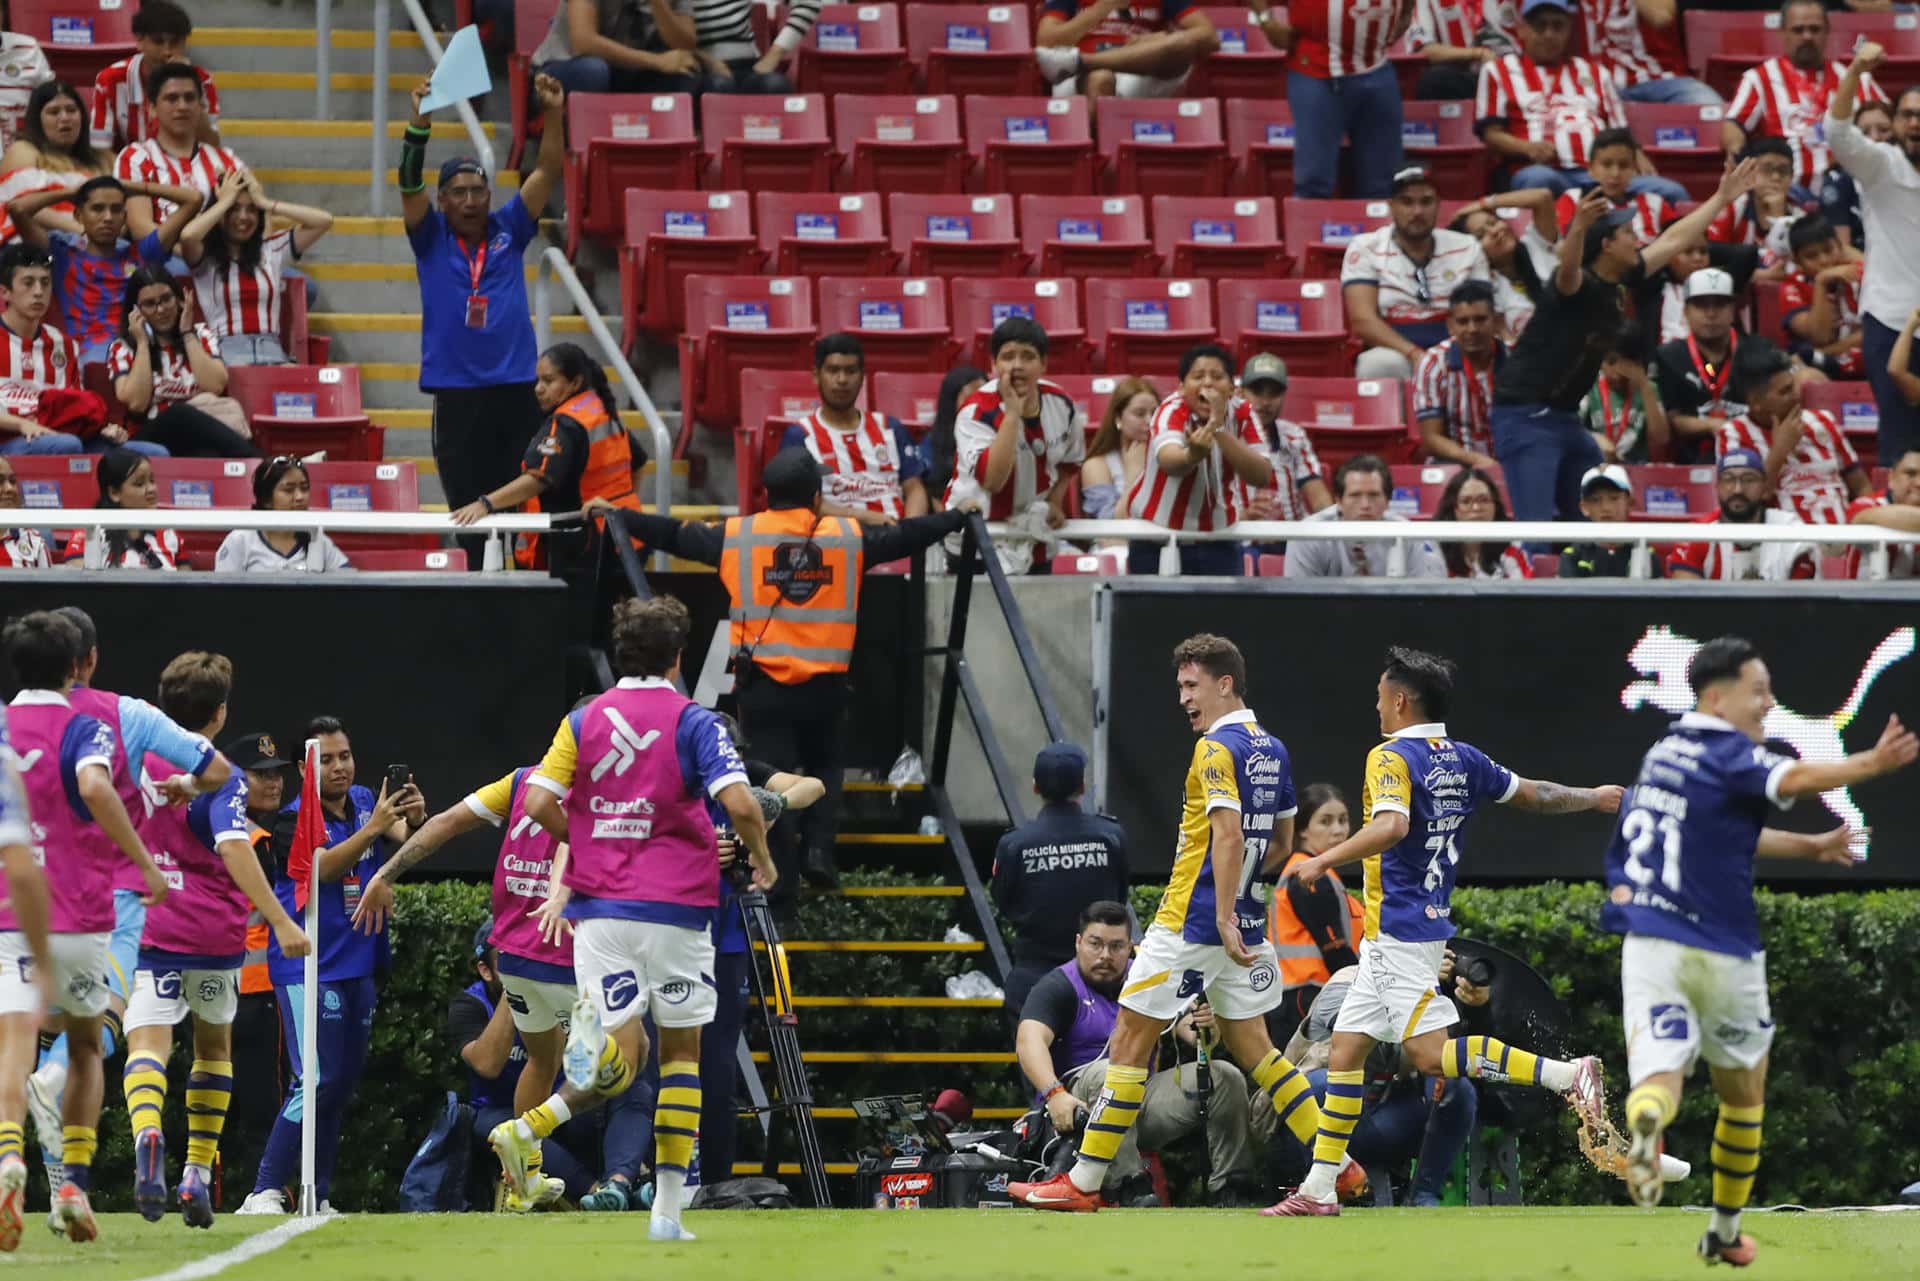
(619, 47)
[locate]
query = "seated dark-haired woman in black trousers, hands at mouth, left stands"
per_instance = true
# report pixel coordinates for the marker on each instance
(168, 370)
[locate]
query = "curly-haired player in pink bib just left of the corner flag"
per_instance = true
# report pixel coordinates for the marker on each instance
(191, 948)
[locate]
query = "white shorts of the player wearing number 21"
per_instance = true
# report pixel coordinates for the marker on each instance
(1685, 1003)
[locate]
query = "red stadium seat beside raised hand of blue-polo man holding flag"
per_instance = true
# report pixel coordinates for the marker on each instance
(619, 143)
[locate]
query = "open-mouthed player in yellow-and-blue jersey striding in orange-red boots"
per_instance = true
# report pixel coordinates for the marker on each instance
(1211, 932)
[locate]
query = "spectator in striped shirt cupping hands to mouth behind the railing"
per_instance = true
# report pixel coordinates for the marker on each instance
(1205, 462)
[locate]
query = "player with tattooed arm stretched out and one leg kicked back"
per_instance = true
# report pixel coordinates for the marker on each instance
(1420, 792)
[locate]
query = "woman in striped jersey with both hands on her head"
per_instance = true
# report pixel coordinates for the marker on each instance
(241, 266)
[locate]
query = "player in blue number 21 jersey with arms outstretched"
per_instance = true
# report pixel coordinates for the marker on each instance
(1681, 890)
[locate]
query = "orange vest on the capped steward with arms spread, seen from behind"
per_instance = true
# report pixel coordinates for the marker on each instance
(796, 587)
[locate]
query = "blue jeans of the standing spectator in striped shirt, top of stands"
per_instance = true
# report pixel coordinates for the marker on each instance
(1366, 112)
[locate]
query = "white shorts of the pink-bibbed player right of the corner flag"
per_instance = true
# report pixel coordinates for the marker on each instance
(638, 967)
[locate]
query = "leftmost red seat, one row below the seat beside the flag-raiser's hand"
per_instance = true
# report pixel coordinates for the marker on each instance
(673, 235)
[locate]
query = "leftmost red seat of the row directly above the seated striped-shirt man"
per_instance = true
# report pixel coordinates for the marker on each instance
(736, 324)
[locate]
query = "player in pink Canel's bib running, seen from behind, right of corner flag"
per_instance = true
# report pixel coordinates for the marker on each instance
(642, 890)
